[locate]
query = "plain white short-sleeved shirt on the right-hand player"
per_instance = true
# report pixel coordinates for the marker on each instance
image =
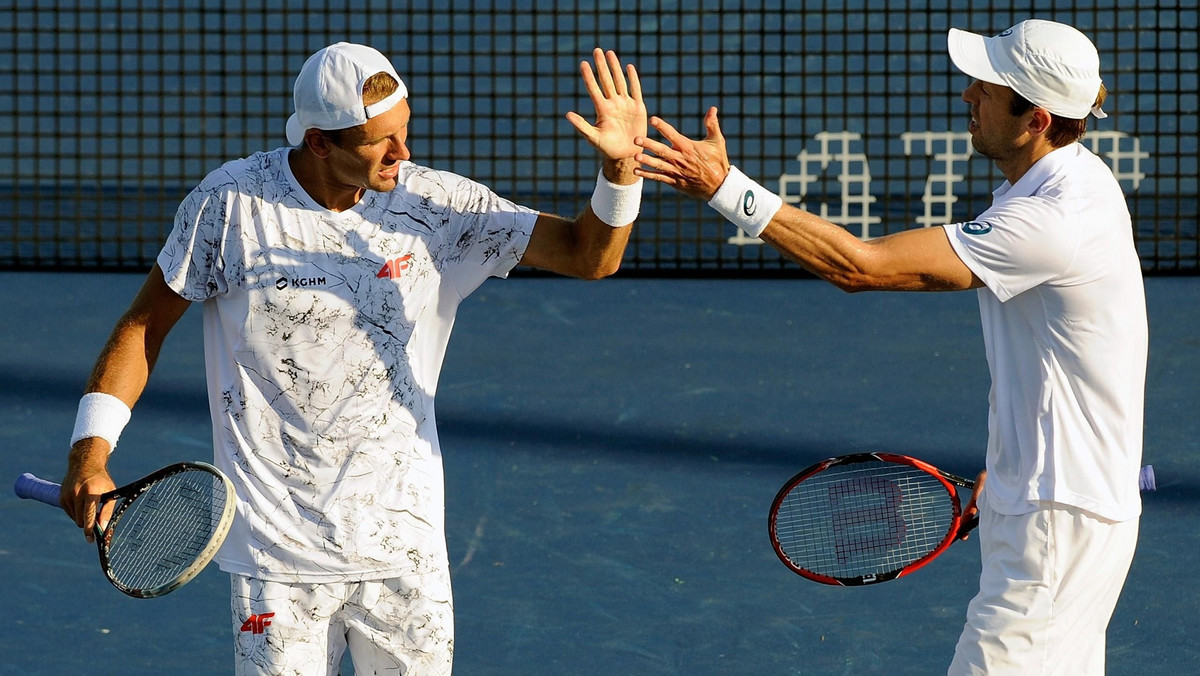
(1065, 330)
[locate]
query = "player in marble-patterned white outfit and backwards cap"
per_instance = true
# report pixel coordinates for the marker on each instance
(331, 272)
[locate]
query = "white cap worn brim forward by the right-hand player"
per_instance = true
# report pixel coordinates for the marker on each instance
(1053, 65)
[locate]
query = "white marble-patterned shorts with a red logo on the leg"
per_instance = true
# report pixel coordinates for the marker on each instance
(404, 626)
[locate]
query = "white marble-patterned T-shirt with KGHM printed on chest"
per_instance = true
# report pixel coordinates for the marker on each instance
(325, 336)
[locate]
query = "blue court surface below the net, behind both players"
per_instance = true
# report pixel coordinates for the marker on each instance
(611, 452)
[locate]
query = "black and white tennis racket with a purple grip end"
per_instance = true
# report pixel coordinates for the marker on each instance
(164, 530)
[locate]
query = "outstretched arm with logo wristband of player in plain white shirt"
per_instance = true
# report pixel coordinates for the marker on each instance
(907, 261)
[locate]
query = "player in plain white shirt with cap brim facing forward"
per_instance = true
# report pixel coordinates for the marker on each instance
(1064, 315)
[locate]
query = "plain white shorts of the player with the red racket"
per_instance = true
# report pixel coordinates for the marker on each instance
(1049, 587)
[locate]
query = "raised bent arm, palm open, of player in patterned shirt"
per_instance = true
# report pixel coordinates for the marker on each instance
(593, 244)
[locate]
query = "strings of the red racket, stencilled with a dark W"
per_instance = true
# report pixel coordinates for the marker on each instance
(863, 519)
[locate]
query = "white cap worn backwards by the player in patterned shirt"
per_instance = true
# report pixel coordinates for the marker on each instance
(328, 93)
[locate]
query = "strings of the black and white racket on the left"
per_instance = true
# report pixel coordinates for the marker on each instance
(166, 529)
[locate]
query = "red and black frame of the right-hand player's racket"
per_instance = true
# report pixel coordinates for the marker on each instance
(959, 528)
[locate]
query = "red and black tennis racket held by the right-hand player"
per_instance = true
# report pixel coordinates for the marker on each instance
(871, 518)
